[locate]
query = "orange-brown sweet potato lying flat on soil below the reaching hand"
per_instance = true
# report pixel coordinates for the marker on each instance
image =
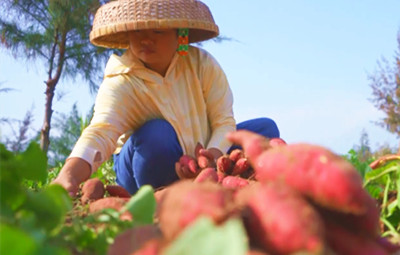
(115, 203)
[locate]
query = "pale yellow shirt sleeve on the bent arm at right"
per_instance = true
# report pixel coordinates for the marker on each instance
(219, 101)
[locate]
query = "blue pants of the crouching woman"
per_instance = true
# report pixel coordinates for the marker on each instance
(149, 155)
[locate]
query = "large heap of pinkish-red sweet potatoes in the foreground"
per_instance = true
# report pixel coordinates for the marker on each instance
(291, 198)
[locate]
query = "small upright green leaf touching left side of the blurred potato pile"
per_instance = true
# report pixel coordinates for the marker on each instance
(142, 205)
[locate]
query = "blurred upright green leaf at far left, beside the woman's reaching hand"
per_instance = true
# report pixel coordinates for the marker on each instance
(33, 163)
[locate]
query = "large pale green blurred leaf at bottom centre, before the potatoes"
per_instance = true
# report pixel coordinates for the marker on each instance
(204, 238)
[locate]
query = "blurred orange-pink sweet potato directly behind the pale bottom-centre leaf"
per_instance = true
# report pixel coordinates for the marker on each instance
(185, 201)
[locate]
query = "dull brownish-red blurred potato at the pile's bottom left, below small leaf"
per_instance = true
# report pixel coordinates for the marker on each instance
(133, 239)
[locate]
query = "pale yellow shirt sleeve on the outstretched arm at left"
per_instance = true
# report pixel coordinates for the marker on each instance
(110, 120)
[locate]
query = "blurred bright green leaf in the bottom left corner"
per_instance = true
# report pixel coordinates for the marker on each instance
(14, 241)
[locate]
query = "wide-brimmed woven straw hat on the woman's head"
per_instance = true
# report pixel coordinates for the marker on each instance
(114, 19)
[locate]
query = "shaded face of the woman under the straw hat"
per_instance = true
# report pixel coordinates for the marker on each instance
(154, 47)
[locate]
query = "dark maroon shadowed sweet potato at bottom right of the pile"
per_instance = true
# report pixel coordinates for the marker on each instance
(345, 242)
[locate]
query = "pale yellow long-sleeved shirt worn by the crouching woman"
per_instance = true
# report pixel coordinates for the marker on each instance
(194, 97)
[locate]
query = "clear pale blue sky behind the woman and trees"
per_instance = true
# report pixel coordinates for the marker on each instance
(304, 63)
